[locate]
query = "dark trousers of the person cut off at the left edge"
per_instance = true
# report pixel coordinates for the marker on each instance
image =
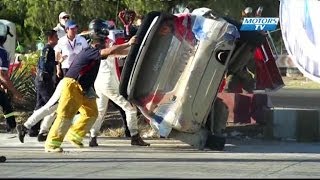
(5, 102)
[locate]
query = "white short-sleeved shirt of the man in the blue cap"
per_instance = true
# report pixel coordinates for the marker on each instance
(70, 48)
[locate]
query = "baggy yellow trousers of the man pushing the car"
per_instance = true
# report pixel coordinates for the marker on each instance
(72, 100)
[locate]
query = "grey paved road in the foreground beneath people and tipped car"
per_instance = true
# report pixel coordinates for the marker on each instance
(165, 158)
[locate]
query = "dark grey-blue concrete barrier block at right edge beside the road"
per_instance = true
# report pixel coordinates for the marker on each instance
(297, 124)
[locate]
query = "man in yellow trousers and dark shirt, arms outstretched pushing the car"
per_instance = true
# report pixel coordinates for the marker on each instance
(77, 90)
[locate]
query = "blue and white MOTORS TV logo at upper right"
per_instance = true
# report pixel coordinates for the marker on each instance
(259, 24)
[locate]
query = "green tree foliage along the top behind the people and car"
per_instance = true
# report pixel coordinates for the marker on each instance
(35, 16)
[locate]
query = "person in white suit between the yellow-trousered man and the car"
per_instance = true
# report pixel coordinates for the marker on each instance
(107, 88)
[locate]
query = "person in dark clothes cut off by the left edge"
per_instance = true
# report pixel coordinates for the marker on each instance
(5, 82)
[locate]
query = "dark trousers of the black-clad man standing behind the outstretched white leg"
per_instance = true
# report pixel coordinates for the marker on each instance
(45, 89)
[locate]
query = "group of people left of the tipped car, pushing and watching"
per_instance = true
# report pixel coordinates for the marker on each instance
(74, 81)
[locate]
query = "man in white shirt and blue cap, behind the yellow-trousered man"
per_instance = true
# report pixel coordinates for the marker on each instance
(68, 47)
